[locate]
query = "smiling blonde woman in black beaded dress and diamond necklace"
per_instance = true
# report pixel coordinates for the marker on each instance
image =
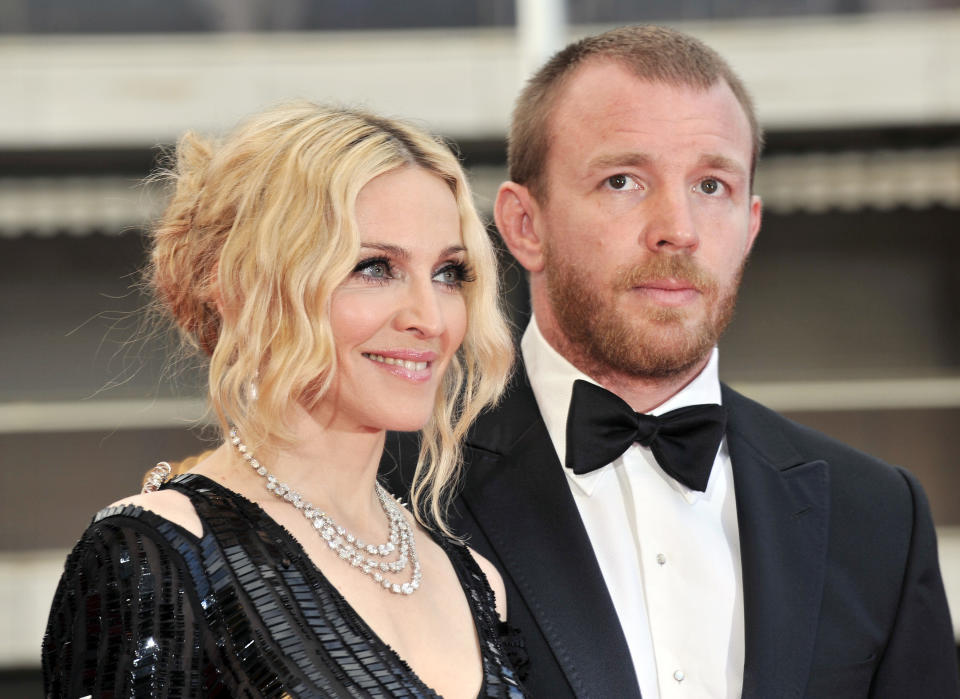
(332, 266)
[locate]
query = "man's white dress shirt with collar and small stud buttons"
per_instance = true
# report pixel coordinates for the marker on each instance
(670, 556)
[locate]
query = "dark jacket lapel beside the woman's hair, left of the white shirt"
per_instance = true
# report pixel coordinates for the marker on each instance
(521, 500)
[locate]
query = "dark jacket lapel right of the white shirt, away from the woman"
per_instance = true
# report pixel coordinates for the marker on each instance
(783, 511)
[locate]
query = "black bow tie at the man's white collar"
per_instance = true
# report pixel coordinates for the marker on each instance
(601, 426)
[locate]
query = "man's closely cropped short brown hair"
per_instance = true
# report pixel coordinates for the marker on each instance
(655, 54)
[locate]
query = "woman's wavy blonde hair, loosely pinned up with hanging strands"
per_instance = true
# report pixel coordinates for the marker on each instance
(259, 232)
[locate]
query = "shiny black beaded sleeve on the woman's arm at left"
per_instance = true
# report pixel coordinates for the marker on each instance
(125, 620)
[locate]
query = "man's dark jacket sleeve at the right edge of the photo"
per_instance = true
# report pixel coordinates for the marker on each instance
(920, 659)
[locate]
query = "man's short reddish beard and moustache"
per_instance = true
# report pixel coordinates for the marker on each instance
(654, 344)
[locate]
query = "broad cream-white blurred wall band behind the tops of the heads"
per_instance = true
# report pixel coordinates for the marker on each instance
(140, 90)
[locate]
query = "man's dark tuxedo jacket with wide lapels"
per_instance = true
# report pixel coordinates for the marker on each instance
(841, 583)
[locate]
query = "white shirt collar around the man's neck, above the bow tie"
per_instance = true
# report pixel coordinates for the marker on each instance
(551, 377)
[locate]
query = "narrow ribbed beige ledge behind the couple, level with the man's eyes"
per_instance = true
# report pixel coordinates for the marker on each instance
(811, 183)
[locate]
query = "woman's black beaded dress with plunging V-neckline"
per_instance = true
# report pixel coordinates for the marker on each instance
(147, 609)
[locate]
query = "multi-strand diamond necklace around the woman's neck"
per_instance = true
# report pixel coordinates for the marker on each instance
(364, 557)
